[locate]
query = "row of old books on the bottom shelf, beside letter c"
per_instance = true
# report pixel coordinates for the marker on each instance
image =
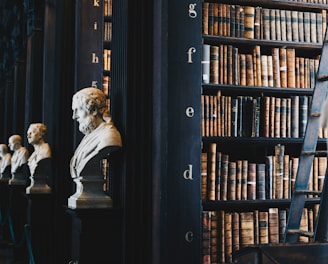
(226, 232)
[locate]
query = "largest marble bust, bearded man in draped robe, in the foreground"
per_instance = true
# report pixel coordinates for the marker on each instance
(101, 137)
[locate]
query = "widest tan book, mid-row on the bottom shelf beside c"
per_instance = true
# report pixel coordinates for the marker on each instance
(246, 229)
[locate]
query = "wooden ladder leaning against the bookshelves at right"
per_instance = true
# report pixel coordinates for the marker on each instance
(309, 150)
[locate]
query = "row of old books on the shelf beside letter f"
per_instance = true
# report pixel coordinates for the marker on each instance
(224, 64)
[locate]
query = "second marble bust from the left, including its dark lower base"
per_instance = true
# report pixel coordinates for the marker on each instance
(18, 160)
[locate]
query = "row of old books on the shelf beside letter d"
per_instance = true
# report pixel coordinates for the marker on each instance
(225, 179)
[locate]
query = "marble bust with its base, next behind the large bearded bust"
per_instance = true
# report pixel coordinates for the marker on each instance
(39, 161)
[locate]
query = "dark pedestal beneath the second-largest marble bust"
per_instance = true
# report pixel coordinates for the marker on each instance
(40, 222)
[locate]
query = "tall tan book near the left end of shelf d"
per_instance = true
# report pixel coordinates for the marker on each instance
(211, 171)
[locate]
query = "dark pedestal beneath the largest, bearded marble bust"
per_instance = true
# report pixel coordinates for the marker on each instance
(96, 236)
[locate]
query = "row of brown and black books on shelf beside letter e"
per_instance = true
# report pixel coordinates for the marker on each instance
(256, 116)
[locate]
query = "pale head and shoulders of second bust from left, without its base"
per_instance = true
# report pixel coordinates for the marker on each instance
(20, 153)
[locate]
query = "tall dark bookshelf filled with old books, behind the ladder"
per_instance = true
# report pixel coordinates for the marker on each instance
(258, 69)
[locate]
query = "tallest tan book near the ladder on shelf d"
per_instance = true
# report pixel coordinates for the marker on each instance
(279, 170)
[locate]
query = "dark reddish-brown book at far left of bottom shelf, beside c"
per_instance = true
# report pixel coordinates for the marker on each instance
(206, 237)
